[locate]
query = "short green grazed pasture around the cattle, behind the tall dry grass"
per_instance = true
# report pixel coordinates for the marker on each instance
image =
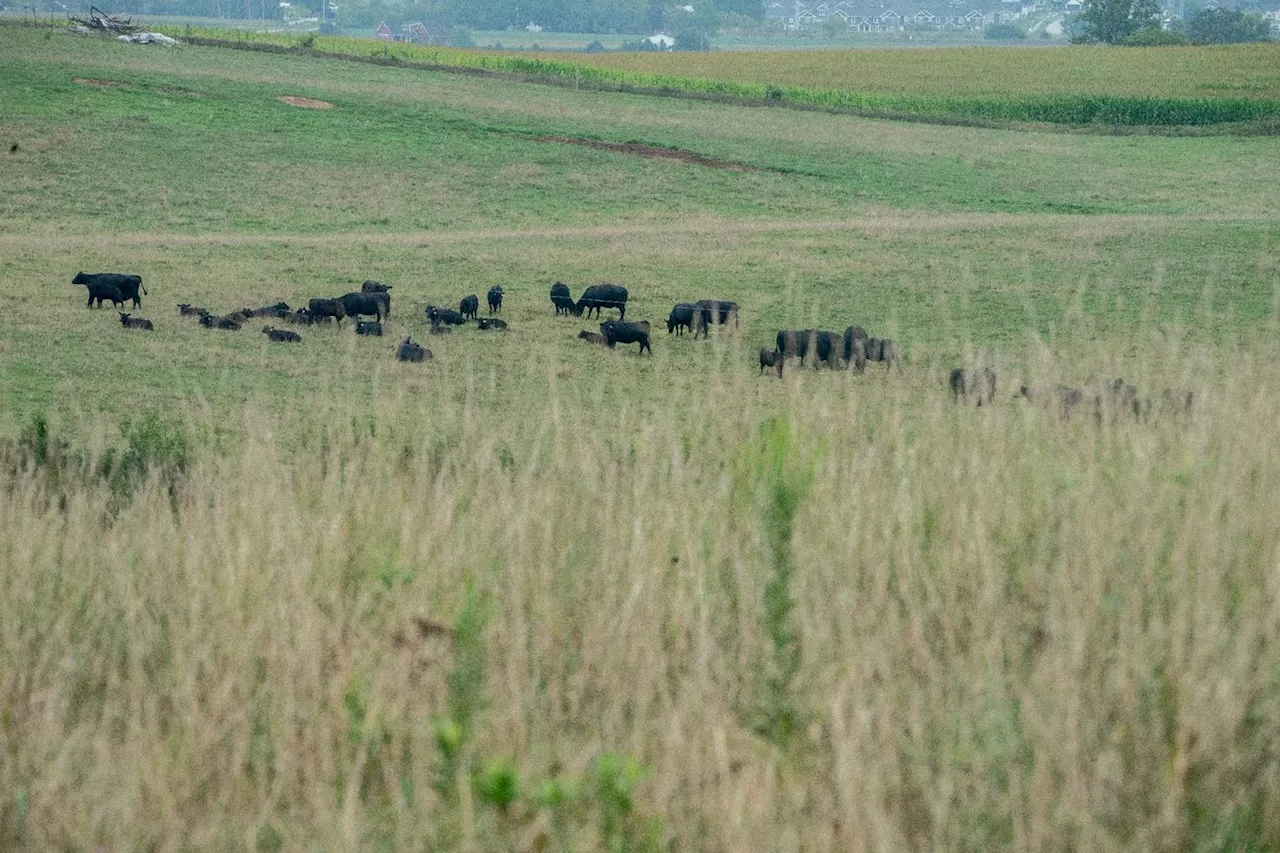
(182, 166)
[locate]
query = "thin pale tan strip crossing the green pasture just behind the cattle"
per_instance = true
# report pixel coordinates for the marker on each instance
(710, 227)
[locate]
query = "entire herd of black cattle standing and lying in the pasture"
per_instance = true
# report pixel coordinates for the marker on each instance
(853, 349)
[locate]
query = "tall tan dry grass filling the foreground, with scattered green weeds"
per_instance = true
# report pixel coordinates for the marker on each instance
(1008, 631)
